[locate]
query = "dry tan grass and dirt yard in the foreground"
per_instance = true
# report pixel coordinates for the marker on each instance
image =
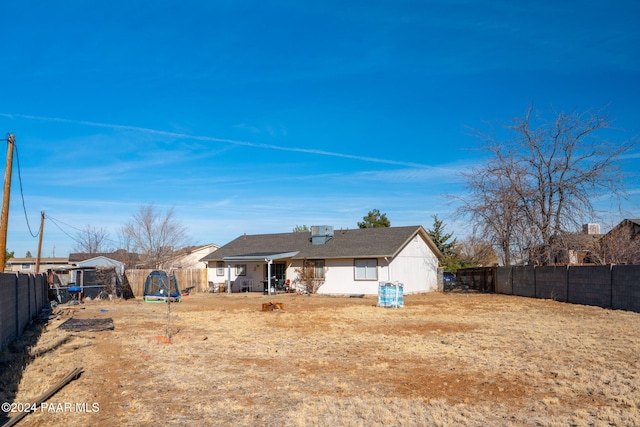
(444, 359)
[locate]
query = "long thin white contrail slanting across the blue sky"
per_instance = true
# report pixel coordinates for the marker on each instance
(213, 139)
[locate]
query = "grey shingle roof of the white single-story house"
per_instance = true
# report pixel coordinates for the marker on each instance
(356, 243)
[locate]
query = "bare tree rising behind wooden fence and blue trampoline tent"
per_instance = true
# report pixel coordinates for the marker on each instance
(154, 235)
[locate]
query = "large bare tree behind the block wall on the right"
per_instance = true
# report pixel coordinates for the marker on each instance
(541, 180)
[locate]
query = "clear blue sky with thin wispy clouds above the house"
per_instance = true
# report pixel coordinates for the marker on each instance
(254, 117)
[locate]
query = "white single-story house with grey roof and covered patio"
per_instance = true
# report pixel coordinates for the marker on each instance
(348, 261)
